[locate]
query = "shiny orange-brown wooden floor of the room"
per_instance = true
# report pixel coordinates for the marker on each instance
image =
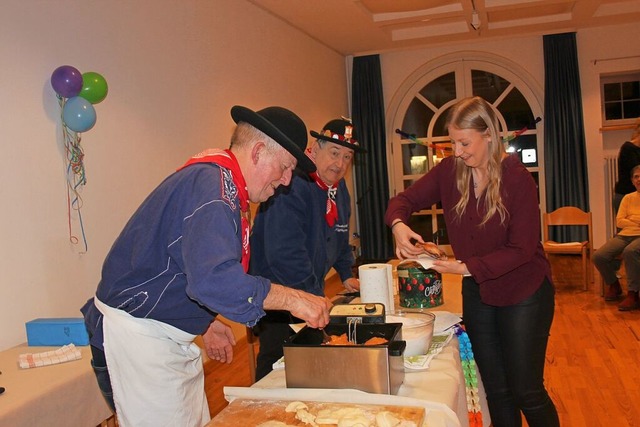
(593, 359)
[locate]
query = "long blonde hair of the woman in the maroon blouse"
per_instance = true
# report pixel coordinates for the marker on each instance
(476, 113)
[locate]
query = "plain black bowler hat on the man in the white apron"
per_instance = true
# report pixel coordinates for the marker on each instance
(283, 126)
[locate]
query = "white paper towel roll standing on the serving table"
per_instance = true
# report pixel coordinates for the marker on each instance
(376, 284)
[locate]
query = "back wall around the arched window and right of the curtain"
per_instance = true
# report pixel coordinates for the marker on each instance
(611, 46)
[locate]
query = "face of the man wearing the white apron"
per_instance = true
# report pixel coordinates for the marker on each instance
(272, 169)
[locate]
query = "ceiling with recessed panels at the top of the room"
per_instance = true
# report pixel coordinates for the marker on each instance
(358, 27)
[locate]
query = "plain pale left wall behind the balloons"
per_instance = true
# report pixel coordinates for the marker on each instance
(174, 70)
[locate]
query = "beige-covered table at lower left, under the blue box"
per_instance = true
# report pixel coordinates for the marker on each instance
(63, 395)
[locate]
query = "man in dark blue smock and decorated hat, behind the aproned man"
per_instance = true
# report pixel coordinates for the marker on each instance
(297, 237)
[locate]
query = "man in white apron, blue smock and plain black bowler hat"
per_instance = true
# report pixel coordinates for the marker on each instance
(181, 260)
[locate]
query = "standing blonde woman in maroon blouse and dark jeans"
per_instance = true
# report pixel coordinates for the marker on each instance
(490, 205)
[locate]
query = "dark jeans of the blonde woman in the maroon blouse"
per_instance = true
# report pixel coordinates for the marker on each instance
(509, 345)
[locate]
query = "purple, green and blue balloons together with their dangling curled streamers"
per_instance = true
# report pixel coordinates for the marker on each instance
(76, 95)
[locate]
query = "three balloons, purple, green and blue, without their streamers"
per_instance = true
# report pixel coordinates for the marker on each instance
(77, 93)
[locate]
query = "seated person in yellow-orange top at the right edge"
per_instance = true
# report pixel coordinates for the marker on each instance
(627, 243)
